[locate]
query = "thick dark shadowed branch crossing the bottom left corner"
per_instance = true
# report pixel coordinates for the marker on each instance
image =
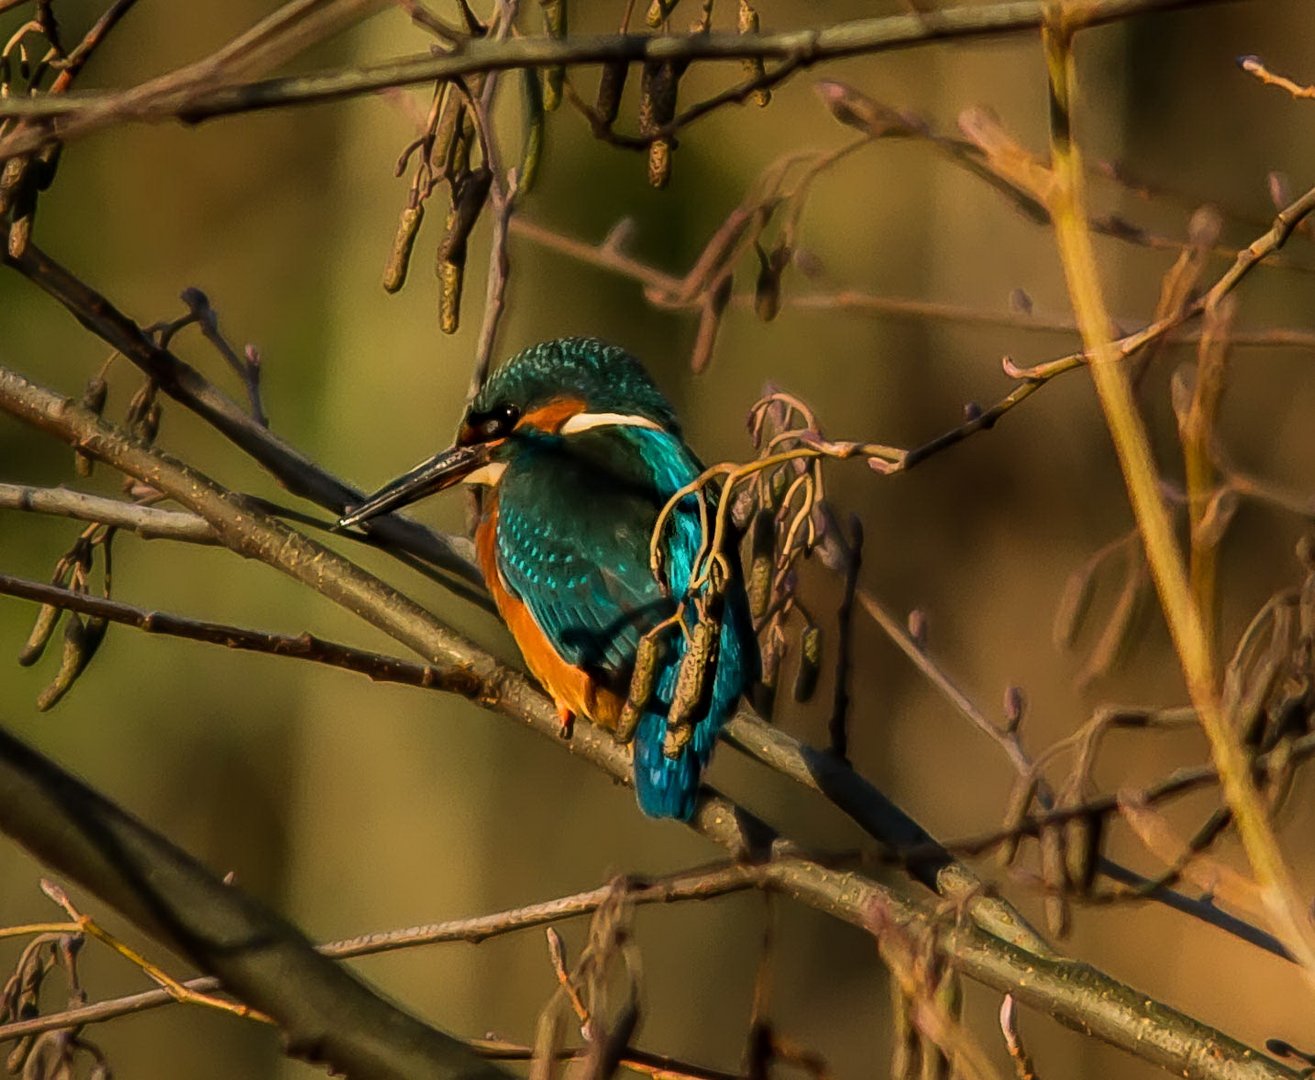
(325, 1014)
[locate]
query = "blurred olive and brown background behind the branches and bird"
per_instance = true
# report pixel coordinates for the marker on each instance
(353, 807)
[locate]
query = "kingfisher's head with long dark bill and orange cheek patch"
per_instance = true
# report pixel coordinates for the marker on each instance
(558, 389)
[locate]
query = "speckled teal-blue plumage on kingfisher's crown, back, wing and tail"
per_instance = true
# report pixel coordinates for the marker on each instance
(575, 518)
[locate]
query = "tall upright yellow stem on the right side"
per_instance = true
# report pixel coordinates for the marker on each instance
(1283, 900)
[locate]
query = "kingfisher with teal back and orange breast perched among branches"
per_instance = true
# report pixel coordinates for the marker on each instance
(581, 457)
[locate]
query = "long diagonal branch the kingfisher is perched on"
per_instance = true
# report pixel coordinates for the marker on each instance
(1074, 994)
